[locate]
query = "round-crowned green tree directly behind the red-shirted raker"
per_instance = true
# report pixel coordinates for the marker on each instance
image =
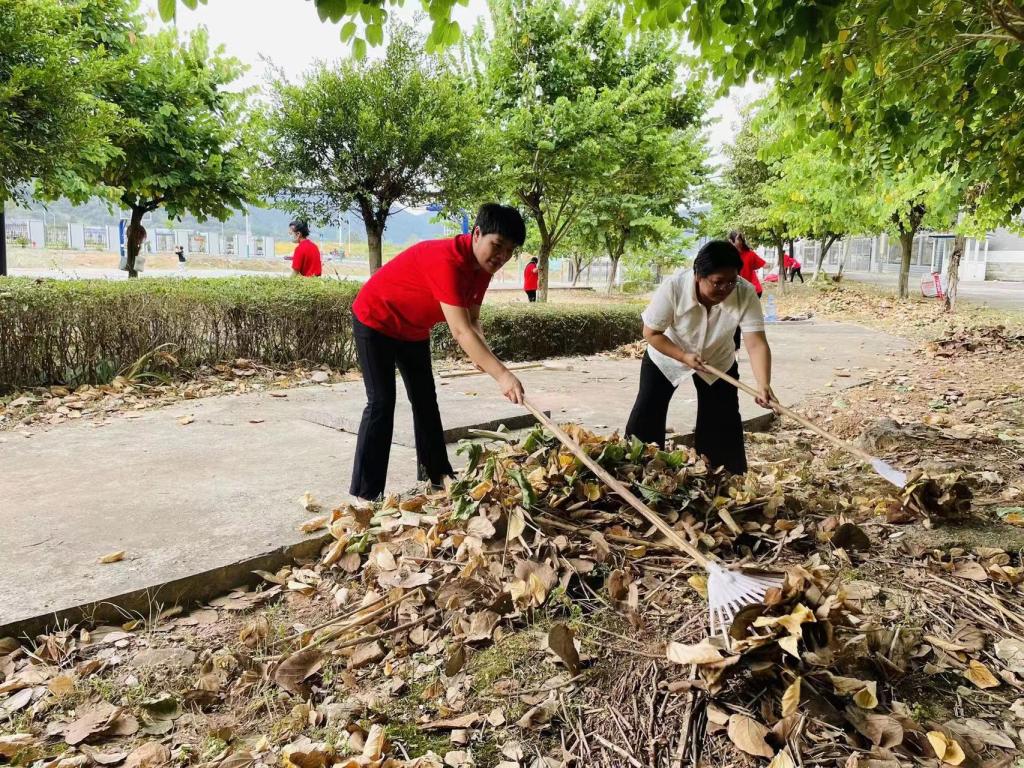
(372, 136)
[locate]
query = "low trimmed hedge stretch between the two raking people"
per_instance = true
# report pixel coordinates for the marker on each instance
(531, 332)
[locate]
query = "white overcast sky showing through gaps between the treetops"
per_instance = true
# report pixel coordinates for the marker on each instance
(290, 34)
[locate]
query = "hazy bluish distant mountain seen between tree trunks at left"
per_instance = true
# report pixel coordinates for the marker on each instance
(404, 227)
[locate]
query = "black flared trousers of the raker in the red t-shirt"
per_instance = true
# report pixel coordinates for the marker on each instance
(379, 355)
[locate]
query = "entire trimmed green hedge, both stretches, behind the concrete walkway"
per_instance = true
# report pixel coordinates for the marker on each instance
(75, 332)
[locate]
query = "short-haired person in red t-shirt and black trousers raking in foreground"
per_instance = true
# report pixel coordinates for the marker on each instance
(433, 282)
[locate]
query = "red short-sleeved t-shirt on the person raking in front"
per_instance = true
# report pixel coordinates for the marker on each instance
(404, 298)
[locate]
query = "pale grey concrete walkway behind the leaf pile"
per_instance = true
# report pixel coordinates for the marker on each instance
(185, 499)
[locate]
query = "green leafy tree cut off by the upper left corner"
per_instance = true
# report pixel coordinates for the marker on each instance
(57, 124)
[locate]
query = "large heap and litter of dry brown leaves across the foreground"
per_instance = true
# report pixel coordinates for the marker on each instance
(524, 617)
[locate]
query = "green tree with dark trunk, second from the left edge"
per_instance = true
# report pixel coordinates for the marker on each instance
(186, 143)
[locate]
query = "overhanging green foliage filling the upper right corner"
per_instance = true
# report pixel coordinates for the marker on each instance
(935, 83)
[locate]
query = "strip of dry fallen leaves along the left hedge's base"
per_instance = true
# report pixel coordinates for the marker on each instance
(131, 393)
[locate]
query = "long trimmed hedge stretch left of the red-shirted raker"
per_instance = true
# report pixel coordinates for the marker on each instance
(75, 332)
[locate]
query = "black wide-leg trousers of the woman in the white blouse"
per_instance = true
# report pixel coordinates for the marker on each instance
(719, 435)
